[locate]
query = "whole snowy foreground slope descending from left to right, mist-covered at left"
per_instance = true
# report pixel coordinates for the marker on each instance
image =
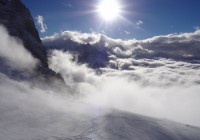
(28, 113)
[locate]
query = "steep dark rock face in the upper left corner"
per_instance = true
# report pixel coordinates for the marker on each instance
(19, 23)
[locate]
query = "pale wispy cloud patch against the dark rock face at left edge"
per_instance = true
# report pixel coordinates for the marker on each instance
(13, 51)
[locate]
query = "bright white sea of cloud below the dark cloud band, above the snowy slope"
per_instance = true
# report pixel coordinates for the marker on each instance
(153, 92)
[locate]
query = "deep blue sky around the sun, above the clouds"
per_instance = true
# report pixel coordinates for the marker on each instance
(141, 18)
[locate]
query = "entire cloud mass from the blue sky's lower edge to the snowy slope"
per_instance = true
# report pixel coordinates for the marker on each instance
(144, 76)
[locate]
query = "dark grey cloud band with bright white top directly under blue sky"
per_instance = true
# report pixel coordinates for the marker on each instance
(178, 47)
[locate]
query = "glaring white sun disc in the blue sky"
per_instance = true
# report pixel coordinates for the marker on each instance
(109, 9)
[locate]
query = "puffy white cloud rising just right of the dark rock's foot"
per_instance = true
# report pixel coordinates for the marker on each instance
(62, 63)
